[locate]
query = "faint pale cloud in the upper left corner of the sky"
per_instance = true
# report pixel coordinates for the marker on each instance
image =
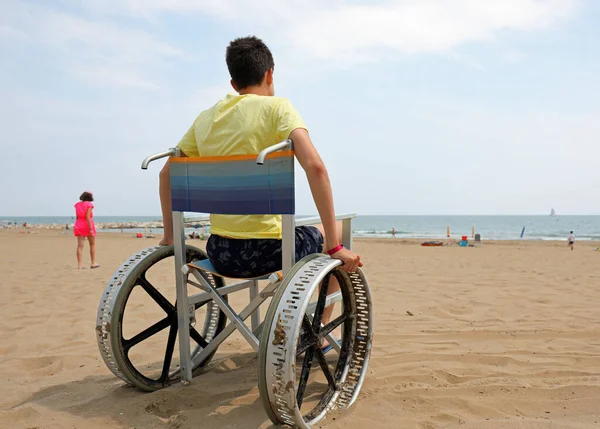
(98, 51)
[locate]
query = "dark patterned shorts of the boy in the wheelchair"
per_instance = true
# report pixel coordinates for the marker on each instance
(246, 258)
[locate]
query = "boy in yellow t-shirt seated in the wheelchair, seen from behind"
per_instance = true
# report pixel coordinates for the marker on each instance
(244, 246)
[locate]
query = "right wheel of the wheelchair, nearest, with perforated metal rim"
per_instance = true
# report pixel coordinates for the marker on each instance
(298, 383)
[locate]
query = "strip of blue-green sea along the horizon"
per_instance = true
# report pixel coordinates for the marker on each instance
(431, 227)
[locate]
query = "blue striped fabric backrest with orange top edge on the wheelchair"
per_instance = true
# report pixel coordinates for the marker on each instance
(233, 184)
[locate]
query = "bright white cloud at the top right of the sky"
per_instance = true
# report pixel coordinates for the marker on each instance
(419, 27)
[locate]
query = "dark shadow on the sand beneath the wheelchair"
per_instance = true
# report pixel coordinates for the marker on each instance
(226, 395)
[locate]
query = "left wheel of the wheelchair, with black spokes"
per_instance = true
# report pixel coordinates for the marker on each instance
(143, 353)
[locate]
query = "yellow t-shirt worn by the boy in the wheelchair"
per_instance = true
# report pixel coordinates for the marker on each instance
(242, 125)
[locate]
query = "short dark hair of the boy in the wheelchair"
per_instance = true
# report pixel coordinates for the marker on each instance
(248, 59)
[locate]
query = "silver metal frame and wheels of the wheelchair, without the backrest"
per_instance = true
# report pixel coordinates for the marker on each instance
(292, 326)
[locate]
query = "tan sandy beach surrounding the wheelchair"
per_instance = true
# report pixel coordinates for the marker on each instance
(502, 336)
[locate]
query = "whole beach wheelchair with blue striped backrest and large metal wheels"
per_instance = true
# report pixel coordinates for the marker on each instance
(299, 384)
